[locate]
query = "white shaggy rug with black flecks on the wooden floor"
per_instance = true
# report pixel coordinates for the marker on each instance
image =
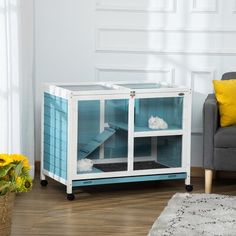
(196, 215)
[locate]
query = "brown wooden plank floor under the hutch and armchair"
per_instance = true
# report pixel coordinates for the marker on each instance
(127, 209)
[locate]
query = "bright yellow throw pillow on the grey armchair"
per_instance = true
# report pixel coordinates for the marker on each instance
(225, 91)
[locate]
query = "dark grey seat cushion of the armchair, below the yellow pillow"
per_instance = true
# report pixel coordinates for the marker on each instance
(225, 137)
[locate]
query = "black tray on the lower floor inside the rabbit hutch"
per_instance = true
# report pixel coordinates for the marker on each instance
(141, 165)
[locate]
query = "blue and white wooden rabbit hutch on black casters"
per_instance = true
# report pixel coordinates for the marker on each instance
(106, 132)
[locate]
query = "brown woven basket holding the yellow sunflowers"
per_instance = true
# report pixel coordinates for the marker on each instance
(6, 208)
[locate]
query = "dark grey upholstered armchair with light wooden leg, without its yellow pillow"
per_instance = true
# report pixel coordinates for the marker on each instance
(219, 144)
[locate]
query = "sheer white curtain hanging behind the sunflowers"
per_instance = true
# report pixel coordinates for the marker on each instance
(16, 78)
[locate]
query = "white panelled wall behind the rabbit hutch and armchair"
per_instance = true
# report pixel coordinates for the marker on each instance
(188, 42)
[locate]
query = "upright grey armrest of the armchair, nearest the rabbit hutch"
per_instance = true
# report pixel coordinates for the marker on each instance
(210, 125)
